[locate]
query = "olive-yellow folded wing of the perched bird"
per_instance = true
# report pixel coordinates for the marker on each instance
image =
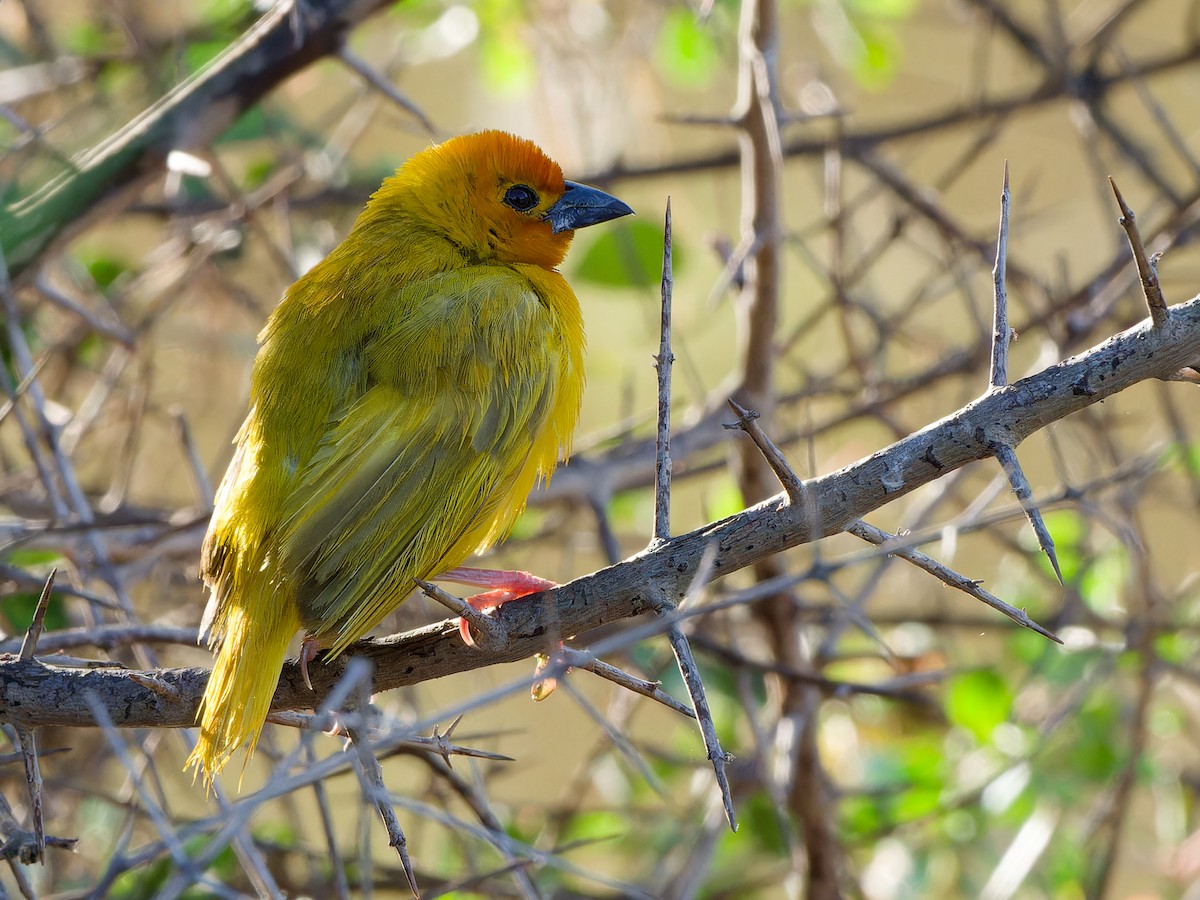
(435, 458)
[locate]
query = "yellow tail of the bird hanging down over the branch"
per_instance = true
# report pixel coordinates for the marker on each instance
(245, 674)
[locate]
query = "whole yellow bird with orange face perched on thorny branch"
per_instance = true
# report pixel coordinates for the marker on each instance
(409, 393)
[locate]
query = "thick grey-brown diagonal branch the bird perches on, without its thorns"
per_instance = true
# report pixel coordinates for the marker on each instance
(38, 695)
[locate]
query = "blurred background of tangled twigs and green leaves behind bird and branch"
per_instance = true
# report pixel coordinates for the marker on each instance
(835, 170)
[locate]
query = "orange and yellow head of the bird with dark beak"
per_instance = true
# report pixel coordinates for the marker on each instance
(499, 197)
